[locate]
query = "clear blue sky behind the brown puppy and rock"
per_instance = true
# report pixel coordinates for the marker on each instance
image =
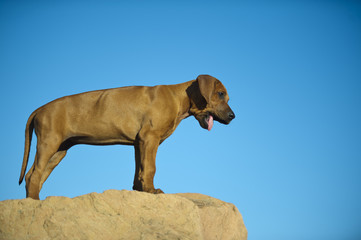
(290, 161)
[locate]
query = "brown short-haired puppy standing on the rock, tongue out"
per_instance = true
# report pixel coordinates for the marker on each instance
(139, 116)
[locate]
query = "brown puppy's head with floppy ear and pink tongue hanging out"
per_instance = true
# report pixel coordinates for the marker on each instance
(209, 101)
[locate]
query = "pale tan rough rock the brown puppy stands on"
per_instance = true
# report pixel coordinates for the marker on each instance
(121, 215)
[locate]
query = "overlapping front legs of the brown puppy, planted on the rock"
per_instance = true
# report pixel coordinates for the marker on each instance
(145, 154)
